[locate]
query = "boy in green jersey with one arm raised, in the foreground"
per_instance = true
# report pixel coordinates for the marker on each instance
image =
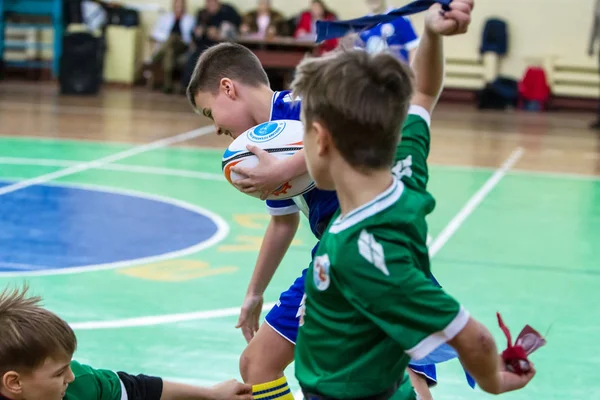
(370, 306)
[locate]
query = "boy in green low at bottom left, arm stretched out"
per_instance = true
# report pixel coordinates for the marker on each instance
(36, 349)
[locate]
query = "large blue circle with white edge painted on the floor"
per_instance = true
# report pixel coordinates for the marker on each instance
(48, 227)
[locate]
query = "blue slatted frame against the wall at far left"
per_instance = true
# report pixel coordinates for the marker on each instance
(52, 8)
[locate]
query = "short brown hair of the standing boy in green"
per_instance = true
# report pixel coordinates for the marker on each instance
(362, 99)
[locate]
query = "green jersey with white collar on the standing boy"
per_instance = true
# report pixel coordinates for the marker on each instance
(370, 305)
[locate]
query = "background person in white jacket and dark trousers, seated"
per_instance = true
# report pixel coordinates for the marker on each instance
(172, 35)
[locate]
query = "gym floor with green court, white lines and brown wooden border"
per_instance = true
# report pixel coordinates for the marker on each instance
(114, 209)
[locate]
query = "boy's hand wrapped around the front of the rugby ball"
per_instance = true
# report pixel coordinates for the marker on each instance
(263, 178)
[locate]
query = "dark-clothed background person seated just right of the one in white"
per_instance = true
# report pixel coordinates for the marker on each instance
(216, 22)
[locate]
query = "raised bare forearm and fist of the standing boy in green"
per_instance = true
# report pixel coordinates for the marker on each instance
(428, 64)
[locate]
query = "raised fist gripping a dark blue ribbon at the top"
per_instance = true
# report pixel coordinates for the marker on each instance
(449, 23)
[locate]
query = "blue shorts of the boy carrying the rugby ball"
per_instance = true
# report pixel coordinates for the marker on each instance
(285, 315)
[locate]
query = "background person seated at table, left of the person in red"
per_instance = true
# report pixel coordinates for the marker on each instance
(263, 22)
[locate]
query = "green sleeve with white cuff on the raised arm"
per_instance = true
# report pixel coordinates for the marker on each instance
(413, 150)
